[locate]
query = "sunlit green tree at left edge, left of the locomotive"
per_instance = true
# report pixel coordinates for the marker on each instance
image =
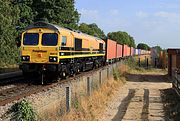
(8, 18)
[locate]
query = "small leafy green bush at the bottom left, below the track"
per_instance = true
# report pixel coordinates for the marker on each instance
(23, 111)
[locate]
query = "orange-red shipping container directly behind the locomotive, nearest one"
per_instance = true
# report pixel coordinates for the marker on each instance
(111, 50)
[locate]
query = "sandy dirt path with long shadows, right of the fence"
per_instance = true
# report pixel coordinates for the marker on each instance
(139, 99)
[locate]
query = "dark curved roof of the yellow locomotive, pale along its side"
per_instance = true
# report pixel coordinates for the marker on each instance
(42, 24)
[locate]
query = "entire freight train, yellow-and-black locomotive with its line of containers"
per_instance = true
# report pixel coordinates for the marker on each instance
(51, 52)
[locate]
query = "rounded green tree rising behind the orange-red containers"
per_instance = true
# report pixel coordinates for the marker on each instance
(122, 38)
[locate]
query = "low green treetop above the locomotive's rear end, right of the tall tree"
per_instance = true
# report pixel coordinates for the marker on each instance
(92, 29)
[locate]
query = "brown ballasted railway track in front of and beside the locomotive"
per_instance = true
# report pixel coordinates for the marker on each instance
(21, 90)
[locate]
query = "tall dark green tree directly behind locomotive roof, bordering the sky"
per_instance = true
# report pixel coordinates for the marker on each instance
(61, 12)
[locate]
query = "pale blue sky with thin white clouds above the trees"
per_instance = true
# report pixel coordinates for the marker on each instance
(155, 22)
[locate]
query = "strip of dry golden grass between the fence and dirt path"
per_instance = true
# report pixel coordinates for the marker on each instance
(90, 107)
